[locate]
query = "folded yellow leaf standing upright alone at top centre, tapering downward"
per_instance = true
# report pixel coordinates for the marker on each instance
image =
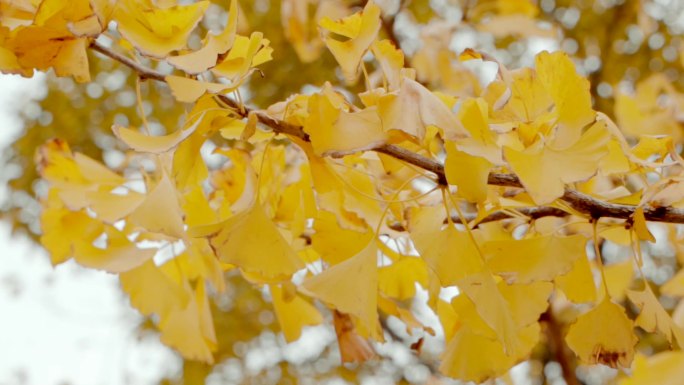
(359, 31)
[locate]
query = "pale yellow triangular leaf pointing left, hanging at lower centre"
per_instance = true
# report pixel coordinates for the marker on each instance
(350, 287)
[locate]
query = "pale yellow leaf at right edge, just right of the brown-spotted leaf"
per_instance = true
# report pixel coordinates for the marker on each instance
(652, 317)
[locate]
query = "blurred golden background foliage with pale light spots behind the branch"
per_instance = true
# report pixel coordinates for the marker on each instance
(629, 49)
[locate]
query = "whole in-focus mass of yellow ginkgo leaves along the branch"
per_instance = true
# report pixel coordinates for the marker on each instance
(343, 234)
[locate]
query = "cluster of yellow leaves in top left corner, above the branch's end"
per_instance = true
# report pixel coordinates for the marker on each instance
(56, 34)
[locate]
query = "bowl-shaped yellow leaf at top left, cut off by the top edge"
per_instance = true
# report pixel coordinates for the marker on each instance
(156, 31)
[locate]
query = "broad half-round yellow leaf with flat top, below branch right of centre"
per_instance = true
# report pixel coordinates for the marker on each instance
(534, 259)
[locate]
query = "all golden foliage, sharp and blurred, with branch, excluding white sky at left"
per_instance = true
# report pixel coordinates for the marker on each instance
(404, 173)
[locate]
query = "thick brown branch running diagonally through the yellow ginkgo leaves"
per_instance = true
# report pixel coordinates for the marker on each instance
(580, 202)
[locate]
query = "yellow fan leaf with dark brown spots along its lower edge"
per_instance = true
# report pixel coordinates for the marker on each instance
(604, 335)
